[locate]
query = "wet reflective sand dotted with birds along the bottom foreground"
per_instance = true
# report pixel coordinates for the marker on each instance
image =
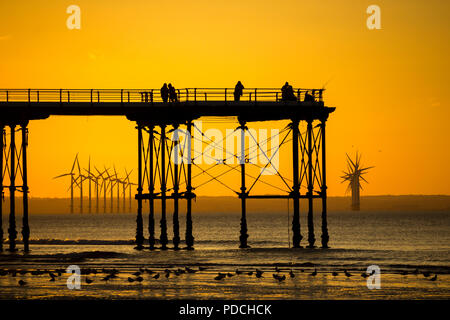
(201, 284)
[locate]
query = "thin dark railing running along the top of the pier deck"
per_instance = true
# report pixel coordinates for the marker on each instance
(152, 95)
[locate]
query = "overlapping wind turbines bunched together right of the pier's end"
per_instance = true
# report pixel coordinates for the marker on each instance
(353, 175)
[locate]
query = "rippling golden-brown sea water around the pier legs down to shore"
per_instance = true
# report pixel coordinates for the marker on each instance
(394, 241)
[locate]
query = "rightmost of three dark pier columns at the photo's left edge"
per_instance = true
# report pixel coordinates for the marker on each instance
(25, 225)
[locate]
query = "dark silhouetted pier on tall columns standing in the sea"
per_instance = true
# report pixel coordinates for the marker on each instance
(160, 178)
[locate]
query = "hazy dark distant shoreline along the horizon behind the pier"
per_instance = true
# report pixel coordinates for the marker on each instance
(206, 204)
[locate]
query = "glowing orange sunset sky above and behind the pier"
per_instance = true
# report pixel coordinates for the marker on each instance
(390, 86)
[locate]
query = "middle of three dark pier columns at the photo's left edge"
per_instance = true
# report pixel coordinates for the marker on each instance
(12, 192)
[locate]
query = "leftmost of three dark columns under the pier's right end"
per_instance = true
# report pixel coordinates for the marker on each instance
(296, 237)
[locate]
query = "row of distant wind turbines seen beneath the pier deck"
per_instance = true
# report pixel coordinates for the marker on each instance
(104, 186)
